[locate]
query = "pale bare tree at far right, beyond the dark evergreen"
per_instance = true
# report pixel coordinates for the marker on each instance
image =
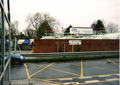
(112, 27)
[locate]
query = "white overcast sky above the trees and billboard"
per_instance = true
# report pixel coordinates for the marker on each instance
(79, 13)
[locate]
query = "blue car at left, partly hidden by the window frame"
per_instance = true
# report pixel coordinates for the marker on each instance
(16, 59)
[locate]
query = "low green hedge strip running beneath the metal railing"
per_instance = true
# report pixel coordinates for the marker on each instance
(64, 59)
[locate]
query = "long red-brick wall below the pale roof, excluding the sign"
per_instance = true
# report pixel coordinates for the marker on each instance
(50, 46)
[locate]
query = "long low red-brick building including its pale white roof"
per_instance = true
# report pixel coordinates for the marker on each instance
(52, 44)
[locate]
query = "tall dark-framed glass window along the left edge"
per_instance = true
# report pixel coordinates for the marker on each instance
(4, 42)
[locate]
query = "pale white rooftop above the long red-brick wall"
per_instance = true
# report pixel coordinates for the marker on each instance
(101, 36)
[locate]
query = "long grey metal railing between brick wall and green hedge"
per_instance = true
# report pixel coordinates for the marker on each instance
(91, 53)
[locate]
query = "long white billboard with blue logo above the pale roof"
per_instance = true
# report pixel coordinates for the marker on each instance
(81, 31)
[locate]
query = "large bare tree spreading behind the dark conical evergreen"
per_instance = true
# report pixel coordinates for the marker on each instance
(35, 20)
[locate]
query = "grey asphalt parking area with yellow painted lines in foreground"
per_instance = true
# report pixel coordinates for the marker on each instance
(89, 72)
